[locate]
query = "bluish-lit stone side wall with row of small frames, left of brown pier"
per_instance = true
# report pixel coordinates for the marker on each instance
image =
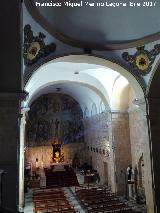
(97, 137)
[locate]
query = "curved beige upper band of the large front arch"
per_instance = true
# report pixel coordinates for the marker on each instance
(93, 61)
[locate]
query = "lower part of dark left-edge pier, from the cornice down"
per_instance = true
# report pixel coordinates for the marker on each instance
(9, 148)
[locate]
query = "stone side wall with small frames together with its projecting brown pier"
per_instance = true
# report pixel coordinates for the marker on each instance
(108, 143)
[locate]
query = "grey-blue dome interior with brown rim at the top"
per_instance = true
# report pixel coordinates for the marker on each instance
(99, 27)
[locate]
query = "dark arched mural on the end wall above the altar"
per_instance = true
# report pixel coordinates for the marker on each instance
(54, 118)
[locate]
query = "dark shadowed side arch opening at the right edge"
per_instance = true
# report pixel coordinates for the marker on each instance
(153, 98)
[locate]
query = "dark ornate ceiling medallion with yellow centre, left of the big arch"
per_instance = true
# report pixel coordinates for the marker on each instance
(35, 47)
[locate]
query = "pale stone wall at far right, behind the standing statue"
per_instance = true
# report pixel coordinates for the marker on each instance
(141, 154)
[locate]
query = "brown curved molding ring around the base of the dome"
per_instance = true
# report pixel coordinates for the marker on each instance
(33, 10)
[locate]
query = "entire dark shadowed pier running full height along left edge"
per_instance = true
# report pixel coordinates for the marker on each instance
(10, 99)
